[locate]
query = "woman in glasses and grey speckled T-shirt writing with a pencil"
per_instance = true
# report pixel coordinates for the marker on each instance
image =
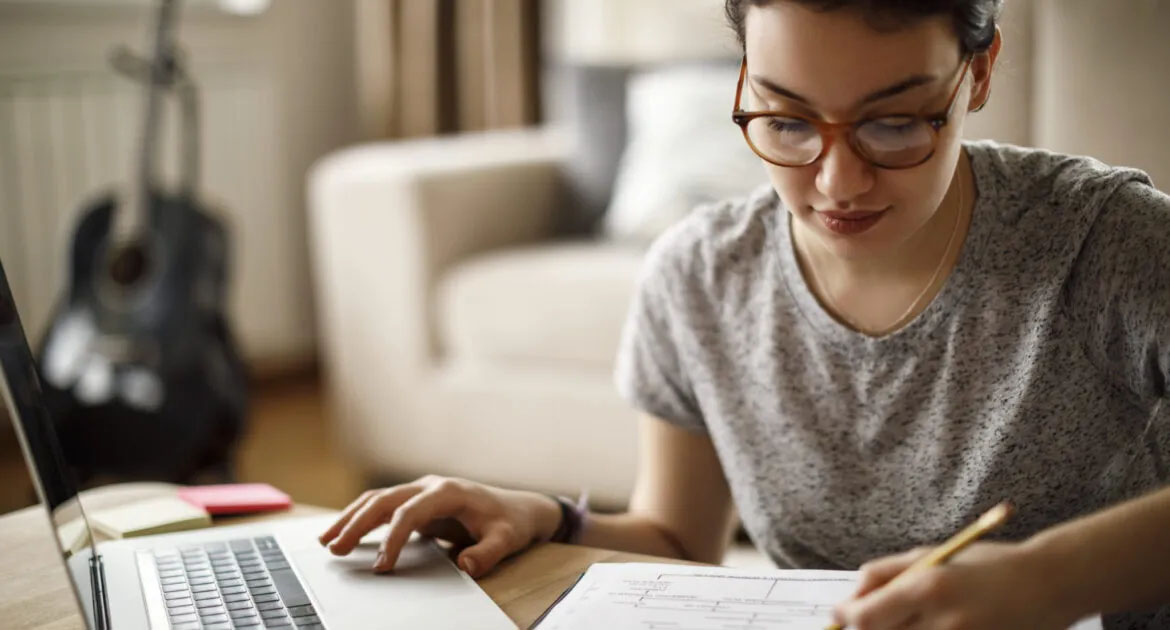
(898, 333)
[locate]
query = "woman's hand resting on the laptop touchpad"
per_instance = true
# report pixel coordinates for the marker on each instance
(491, 523)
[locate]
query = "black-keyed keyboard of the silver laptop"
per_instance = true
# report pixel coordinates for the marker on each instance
(244, 584)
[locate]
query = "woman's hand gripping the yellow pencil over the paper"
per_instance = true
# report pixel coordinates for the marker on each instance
(986, 587)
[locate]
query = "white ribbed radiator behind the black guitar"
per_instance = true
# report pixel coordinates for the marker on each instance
(66, 136)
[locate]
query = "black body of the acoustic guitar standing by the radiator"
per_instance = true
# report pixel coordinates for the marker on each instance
(142, 374)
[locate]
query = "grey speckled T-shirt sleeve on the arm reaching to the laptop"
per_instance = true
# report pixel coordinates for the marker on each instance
(651, 373)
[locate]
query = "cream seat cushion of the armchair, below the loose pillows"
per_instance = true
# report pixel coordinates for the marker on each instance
(565, 303)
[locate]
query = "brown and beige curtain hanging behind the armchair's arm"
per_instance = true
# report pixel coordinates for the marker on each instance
(430, 67)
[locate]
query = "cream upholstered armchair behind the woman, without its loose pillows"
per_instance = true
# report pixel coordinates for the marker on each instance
(459, 339)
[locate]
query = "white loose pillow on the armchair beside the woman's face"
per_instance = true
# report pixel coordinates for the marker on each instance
(683, 149)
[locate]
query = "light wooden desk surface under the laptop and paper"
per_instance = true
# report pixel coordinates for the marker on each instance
(35, 590)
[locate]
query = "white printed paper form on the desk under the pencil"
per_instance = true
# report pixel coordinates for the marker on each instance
(642, 597)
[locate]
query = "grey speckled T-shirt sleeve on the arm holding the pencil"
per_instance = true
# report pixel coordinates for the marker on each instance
(1119, 290)
